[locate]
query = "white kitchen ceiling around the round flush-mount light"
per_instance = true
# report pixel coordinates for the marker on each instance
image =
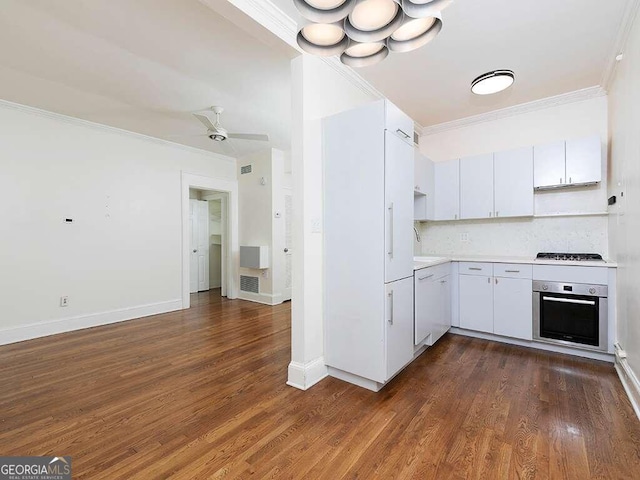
(554, 47)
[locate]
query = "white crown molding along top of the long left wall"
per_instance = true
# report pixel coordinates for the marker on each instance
(106, 128)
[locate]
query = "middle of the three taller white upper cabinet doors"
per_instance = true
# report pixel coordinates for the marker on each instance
(476, 187)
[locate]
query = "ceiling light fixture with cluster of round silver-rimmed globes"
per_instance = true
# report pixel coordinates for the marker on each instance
(363, 32)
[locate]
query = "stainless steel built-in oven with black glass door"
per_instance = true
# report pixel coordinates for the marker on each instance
(570, 314)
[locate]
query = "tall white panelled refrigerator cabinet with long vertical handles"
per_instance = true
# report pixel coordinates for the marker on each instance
(368, 243)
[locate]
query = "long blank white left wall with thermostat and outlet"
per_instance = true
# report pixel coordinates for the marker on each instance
(122, 256)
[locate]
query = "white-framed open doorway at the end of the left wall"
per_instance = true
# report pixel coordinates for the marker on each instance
(209, 236)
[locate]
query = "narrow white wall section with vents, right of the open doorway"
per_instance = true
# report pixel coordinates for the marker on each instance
(258, 225)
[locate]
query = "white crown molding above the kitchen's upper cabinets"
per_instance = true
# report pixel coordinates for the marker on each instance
(565, 98)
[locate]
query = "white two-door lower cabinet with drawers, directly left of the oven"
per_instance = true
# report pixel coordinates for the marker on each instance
(501, 303)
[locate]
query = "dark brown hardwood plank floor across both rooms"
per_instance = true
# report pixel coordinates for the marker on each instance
(201, 394)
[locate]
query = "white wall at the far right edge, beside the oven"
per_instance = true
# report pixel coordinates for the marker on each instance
(625, 215)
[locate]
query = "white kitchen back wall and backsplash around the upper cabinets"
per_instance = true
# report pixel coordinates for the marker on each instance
(527, 237)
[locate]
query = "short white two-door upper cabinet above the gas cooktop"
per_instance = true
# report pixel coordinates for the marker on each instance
(570, 163)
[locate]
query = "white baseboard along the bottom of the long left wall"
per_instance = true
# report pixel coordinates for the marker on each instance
(52, 327)
